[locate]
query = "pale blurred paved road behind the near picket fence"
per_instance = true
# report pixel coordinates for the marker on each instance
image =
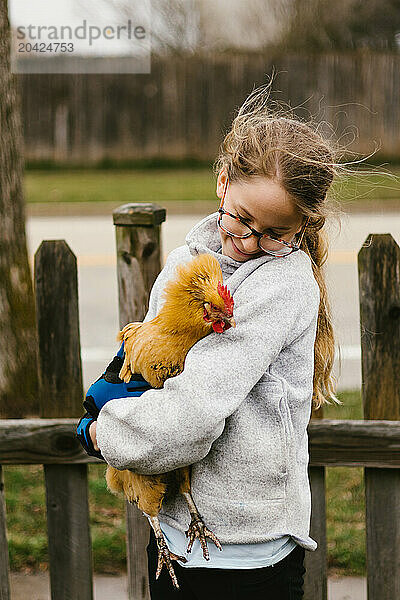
(92, 239)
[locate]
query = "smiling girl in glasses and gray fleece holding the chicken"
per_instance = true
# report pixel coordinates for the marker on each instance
(239, 411)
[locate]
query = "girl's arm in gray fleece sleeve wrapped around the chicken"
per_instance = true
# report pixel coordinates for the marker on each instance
(168, 428)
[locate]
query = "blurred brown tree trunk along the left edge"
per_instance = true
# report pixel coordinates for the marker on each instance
(18, 337)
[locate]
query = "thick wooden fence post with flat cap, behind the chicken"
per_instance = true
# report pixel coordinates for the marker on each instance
(138, 240)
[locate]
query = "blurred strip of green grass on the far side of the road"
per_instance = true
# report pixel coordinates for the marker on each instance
(185, 184)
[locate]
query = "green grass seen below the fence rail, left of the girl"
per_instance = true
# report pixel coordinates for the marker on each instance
(27, 527)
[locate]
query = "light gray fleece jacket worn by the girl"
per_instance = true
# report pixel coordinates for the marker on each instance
(239, 411)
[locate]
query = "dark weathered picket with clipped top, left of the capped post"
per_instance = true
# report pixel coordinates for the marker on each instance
(61, 395)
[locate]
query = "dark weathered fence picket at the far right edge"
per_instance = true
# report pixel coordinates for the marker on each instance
(379, 286)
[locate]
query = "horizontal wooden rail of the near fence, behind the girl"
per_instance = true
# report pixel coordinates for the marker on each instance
(332, 443)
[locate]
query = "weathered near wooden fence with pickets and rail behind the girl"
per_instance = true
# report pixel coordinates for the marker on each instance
(373, 443)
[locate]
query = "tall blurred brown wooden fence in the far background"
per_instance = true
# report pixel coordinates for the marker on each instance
(182, 108)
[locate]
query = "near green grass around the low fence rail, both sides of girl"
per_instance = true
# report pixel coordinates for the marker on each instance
(27, 530)
